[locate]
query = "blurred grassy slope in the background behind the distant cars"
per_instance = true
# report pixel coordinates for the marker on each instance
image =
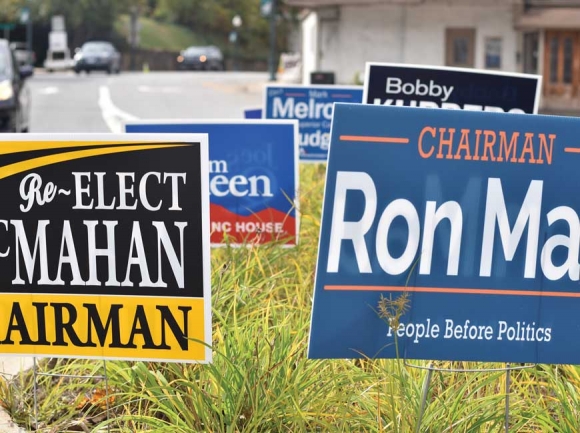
(161, 36)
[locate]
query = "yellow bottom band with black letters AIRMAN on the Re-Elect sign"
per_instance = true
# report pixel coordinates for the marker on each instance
(151, 325)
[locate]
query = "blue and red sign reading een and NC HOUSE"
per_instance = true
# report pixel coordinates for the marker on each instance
(253, 171)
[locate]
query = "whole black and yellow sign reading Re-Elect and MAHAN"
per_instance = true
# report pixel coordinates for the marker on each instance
(104, 246)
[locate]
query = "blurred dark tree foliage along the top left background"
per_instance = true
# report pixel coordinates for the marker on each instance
(212, 19)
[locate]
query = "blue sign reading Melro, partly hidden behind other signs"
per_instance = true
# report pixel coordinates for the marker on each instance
(312, 106)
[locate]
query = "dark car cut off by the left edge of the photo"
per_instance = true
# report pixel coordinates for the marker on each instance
(14, 91)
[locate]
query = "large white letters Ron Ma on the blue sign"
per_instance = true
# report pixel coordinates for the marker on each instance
(420, 238)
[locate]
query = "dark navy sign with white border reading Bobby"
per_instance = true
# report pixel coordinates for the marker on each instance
(451, 88)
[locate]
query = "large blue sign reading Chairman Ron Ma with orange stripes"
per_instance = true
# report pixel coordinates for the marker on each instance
(467, 220)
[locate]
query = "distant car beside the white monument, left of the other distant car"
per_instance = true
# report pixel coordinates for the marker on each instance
(97, 56)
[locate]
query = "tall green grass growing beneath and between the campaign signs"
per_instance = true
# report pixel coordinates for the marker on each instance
(261, 381)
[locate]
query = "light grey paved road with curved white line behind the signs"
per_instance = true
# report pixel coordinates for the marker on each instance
(65, 102)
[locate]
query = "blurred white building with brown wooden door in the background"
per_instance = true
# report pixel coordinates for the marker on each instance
(532, 36)
